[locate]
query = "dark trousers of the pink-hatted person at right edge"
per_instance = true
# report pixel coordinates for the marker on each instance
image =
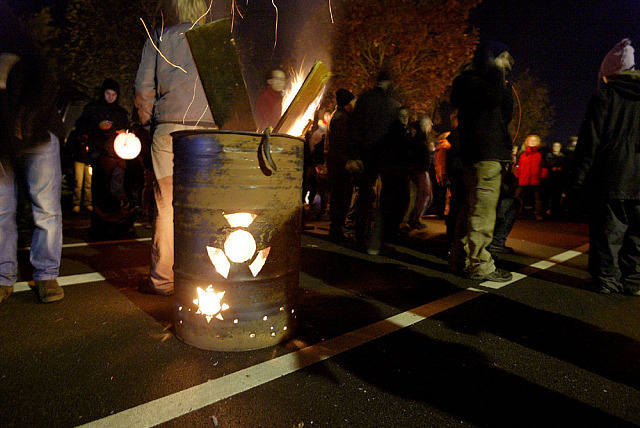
(614, 244)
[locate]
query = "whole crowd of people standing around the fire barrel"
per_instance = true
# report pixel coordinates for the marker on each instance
(376, 166)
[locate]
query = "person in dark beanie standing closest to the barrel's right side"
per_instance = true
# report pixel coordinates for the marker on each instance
(337, 155)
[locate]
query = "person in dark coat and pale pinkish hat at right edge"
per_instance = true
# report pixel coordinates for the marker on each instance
(607, 166)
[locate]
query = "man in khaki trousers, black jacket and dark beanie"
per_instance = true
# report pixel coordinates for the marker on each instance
(485, 104)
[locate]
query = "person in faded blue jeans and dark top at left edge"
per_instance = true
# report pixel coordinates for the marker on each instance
(29, 151)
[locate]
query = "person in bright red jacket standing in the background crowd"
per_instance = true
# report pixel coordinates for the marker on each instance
(530, 172)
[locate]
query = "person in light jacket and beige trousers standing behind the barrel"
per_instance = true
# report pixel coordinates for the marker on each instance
(177, 101)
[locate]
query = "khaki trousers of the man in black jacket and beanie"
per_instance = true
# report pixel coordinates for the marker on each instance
(476, 220)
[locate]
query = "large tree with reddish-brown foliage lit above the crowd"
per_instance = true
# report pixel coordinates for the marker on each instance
(423, 42)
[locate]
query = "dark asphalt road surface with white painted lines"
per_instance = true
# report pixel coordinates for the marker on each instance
(380, 341)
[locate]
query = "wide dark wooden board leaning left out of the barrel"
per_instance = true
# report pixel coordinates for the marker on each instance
(216, 58)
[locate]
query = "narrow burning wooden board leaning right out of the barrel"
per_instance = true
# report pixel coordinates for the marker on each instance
(309, 91)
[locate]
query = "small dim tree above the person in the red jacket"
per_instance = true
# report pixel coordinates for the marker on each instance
(533, 114)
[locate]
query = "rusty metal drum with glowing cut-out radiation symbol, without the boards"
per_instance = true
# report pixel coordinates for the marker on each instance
(218, 173)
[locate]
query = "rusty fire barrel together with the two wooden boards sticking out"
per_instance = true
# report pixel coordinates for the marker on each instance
(237, 210)
